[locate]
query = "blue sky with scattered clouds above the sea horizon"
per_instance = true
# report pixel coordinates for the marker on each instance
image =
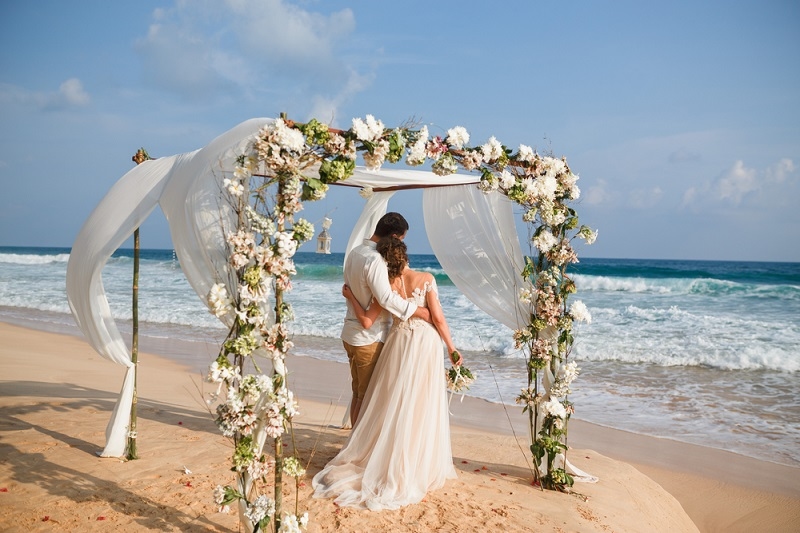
(681, 118)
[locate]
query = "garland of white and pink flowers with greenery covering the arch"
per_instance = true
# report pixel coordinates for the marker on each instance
(289, 163)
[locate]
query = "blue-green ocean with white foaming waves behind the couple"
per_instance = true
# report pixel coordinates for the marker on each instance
(704, 352)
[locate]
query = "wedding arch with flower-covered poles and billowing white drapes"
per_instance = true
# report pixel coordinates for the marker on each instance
(235, 236)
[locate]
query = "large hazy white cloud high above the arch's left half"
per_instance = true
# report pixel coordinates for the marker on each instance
(211, 49)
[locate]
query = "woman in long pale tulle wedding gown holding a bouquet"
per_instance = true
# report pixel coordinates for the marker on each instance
(399, 448)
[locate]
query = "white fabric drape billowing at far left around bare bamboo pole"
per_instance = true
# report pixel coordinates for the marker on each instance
(187, 187)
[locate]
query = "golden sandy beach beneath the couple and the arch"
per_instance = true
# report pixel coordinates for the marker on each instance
(57, 394)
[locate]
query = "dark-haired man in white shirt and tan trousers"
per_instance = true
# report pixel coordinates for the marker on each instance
(366, 274)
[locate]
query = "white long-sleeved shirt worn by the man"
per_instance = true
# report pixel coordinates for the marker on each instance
(366, 274)
